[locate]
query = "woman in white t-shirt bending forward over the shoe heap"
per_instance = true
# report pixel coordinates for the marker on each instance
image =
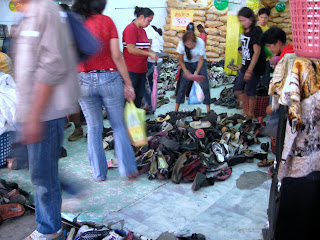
(191, 59)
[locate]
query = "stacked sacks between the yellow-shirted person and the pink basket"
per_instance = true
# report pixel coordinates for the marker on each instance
(278, 19)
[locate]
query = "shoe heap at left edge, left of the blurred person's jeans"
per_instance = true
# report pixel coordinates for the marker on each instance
(11, 200)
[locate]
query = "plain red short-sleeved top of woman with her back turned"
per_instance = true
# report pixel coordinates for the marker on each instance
(103, 29)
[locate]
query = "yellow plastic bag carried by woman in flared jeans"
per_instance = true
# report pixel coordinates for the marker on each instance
(136, 125)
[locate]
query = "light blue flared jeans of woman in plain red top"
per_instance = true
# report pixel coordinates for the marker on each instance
(106, 89)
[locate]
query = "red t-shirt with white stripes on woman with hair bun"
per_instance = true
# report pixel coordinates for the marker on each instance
(137, 36)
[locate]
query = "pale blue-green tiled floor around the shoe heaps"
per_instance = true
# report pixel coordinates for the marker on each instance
(220, 212)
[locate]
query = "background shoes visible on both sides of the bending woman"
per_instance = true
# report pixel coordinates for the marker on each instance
(216, 74)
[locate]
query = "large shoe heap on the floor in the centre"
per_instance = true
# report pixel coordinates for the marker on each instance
(183, 146)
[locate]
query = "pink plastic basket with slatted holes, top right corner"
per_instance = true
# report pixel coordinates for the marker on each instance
(305, 18)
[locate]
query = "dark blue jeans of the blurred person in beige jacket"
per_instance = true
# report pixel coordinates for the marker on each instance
(43, 167)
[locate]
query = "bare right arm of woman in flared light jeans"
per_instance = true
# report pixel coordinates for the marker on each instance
(118, 60)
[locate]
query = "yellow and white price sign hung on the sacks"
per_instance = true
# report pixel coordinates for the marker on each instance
(180, 19)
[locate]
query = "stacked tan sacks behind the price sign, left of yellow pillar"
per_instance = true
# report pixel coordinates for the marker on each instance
(213, 20)
